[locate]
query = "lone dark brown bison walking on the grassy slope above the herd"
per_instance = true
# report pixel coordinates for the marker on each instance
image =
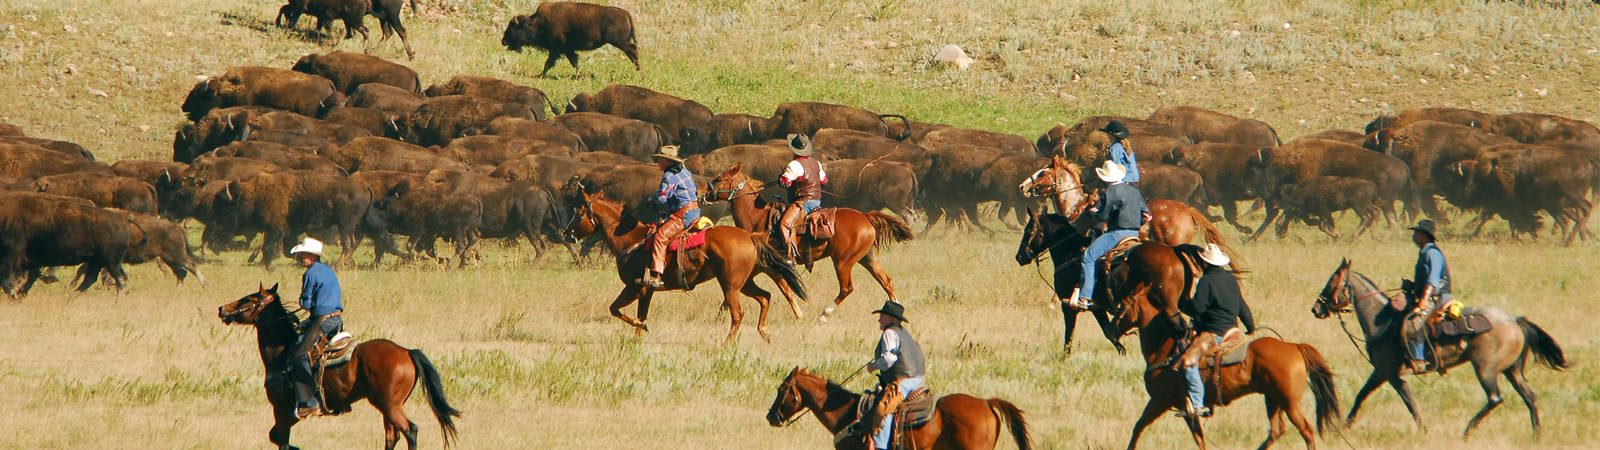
(567, 28)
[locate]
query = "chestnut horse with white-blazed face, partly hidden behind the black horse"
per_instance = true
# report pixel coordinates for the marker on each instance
(1170, 223)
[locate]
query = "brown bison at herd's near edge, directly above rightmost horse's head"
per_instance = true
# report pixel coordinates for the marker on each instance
(1314, 203)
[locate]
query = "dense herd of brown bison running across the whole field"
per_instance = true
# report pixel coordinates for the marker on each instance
(348, 148)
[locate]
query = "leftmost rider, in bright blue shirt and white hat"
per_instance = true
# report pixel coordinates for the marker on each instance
(321, 297)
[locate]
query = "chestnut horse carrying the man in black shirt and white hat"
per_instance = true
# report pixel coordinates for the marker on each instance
(1276, 369)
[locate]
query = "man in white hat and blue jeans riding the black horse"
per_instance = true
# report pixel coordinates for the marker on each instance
(1121, 211)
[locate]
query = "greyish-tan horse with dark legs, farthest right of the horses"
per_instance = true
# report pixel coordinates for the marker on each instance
(1503, 350)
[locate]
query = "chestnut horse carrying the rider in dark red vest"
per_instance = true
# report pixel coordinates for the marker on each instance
(857, 236)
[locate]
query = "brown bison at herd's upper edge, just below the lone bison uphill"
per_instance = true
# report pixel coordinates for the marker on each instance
(679, 118)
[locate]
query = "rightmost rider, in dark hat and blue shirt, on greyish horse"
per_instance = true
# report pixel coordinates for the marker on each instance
(1428, 291)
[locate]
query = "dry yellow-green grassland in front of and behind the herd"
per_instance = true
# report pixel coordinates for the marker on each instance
(529, 352)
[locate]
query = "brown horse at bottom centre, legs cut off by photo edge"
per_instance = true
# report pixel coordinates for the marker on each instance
(959, 422)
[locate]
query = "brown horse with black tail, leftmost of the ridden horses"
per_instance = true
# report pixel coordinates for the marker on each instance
(378, 371)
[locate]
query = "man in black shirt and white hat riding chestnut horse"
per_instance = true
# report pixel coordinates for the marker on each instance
(1217, 307)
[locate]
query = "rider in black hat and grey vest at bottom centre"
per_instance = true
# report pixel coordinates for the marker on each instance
(900, 366)
